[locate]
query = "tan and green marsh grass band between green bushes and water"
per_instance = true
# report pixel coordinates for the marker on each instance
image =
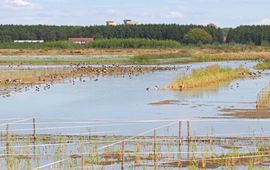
(142, 56)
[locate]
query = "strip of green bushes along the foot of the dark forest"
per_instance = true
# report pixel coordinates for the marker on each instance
(140, 43)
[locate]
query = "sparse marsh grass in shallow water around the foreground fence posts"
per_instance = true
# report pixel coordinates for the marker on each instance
(85, 152)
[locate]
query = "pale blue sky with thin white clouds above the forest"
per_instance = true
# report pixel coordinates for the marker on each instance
(223, 13)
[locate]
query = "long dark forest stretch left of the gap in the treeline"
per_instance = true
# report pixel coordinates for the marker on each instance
(175, 32)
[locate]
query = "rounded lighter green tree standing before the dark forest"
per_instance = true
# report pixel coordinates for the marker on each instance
(198, 36)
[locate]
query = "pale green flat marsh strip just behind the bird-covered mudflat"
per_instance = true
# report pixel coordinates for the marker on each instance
(142, 60)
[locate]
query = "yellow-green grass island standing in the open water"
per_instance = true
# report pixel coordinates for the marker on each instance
(208, 76)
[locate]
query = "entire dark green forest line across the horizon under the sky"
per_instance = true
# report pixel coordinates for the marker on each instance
(257, 35)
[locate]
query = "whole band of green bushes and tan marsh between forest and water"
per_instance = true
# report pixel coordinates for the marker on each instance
(130, 51)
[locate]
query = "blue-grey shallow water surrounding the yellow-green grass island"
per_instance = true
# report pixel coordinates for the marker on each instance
(121, 106)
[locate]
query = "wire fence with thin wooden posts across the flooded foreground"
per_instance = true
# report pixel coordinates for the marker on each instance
(123, 144)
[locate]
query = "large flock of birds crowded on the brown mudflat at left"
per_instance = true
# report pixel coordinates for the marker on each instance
(72, 73)
